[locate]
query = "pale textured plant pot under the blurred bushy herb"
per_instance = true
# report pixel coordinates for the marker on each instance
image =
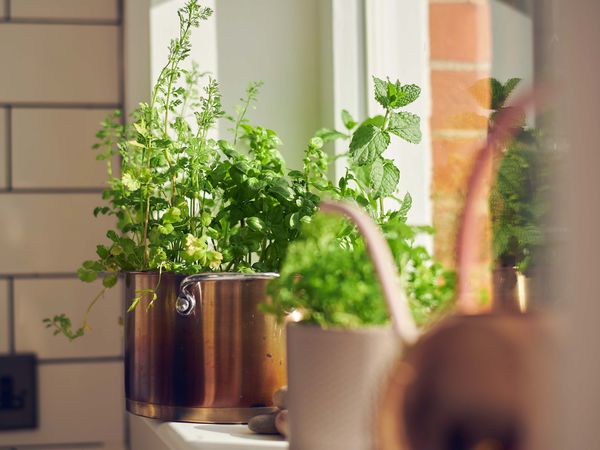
(334, 379)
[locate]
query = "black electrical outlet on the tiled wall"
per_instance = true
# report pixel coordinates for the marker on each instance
(18, 391)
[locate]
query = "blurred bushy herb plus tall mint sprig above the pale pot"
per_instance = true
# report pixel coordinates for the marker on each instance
(327, 275)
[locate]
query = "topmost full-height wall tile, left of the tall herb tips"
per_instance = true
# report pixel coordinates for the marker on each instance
(59, 63)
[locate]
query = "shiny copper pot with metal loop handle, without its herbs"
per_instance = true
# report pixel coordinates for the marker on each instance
(203, 352)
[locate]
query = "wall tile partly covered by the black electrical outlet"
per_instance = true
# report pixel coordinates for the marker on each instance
(70, 399)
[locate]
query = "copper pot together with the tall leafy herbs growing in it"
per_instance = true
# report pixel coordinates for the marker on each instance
(201, 226)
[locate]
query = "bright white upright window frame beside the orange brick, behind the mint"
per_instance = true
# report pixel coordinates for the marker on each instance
(398, 47)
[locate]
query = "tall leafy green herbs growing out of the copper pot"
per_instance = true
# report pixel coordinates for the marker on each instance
(185, 202)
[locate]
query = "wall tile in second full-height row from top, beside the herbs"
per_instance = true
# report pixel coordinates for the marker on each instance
(48, 143)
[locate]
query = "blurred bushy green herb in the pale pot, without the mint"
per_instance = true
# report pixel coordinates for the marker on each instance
(329, 278)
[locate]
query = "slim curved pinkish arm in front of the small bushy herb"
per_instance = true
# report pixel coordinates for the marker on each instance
(385, 268)
